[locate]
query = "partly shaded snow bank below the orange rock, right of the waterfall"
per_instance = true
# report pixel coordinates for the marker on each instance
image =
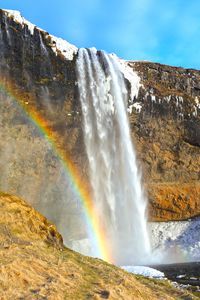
(177, 241)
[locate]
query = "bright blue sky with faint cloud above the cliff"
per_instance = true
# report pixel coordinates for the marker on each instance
(156, 30)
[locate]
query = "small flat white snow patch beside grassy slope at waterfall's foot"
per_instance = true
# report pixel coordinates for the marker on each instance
(145, 271)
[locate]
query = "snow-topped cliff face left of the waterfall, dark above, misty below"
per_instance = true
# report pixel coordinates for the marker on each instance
(38, 105)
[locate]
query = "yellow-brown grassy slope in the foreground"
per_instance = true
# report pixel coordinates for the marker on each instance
(34, 264)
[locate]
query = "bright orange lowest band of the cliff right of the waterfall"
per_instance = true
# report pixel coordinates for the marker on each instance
(174, 201)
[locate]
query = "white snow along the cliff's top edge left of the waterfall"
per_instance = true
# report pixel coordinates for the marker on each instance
(59, 45)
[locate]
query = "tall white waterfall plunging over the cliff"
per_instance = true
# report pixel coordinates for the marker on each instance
(115, 180)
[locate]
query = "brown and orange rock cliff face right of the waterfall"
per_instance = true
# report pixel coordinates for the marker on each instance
(166, 128)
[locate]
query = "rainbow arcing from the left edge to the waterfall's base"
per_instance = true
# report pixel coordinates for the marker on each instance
(80, 187)
